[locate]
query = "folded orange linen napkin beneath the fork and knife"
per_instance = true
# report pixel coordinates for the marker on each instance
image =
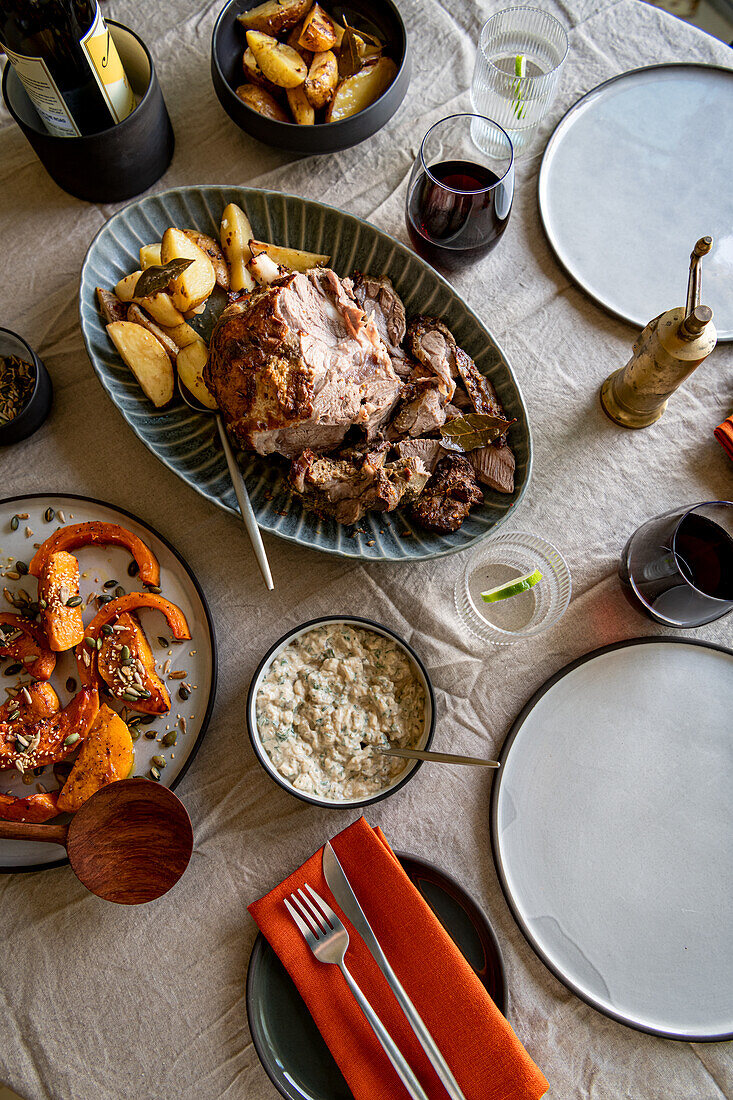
(479, 1046)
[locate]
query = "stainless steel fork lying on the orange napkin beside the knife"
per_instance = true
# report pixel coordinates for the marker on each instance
(329, 940)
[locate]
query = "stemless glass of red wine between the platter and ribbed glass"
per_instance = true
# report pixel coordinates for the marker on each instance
(461, 191)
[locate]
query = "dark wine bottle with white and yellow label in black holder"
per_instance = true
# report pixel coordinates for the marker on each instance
(64, 56)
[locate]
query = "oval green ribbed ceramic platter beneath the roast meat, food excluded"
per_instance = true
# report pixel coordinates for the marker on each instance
(185, 442)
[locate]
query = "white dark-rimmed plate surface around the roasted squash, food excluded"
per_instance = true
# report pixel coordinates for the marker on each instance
(196, 657)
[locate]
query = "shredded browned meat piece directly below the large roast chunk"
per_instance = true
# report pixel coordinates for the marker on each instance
(346, 489)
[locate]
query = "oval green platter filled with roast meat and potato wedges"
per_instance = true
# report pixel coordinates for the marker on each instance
(280, 234)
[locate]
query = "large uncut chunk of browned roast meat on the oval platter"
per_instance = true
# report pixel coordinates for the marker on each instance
(296, 365)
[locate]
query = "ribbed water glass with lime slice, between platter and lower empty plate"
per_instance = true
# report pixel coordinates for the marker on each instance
(502, 559)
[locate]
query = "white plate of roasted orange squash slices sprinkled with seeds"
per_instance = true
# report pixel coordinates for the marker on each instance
(108, 661)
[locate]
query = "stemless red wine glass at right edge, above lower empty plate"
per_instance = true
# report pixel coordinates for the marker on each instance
(679, 568)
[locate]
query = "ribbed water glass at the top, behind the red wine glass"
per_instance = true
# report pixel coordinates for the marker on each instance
(518, 70)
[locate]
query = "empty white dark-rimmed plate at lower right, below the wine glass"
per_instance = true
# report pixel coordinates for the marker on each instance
(614, 835)
